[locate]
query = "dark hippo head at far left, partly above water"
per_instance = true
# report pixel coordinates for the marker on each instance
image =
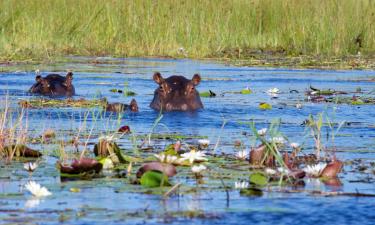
(54, 85)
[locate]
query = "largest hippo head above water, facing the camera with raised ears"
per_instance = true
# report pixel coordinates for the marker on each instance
(176, 93)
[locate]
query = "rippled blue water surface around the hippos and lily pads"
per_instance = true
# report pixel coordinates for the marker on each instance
(111, 200)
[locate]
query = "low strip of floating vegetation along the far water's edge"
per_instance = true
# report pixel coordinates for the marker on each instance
(349, 62)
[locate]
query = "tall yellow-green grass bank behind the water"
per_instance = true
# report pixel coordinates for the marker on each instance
(228, 28)
